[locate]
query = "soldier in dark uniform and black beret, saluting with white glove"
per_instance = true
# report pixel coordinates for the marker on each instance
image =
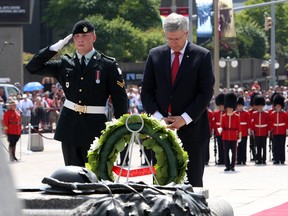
(88, 79)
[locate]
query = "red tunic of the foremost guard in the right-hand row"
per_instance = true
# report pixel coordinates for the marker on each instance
(230, 127)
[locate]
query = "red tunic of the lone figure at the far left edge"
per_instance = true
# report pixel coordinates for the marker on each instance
(12, 122)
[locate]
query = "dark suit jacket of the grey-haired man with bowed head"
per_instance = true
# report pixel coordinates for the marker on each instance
(191, 92)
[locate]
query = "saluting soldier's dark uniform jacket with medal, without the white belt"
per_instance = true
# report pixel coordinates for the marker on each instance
(81, 87)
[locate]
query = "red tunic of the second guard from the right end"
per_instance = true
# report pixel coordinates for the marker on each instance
(260, 123)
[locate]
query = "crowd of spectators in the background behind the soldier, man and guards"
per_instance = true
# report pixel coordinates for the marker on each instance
(42, 108)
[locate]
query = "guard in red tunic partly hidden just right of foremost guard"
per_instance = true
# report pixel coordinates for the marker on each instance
(245, 123)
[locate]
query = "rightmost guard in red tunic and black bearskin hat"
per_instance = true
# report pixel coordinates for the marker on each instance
(279, 127)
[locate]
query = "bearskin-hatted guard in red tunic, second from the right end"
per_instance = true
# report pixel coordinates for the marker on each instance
(260, 128)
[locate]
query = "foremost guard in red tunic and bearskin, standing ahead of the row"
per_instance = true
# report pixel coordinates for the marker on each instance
(231, 130)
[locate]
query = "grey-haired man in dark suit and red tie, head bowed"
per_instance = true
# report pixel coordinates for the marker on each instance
(183, 104)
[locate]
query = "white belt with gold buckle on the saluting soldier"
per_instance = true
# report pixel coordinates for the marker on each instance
(84, 109)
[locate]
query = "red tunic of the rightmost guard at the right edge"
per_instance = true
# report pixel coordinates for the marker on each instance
(278, 122)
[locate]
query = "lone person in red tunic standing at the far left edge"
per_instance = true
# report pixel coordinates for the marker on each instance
(12, 128)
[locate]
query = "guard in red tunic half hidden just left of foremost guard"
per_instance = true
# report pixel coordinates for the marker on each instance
(217, 114)
